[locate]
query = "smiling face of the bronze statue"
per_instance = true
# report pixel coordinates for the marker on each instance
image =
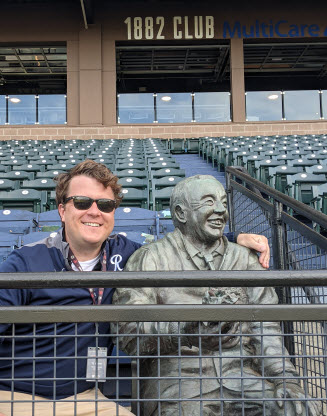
(207, 212)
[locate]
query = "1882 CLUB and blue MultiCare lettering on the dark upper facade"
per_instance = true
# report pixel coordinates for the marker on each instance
(206, 27)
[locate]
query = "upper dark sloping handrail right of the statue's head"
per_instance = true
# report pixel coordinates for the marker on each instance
(312, 214)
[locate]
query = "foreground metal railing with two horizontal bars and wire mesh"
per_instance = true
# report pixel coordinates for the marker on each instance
(196, 384)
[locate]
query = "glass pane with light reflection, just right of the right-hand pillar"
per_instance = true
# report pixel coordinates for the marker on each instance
(263, 106)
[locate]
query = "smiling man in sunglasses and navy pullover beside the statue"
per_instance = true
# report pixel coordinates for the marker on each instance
(87, 197)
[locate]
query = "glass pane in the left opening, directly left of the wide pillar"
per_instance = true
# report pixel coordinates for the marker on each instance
(52, 109)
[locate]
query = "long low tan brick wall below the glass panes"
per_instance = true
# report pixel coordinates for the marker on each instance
(166, 131)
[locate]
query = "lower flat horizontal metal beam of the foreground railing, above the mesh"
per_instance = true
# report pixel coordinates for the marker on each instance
(163, 313)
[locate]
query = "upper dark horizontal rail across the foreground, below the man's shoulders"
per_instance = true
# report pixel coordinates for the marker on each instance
(197, 278)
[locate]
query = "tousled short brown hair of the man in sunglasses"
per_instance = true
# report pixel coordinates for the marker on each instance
(92, 169)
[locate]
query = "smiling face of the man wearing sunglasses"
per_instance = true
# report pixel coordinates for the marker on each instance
(86, 229)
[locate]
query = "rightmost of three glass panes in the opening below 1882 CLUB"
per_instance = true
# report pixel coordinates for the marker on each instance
(212, 106)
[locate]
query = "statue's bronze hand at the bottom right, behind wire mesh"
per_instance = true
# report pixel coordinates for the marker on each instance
(295, 391)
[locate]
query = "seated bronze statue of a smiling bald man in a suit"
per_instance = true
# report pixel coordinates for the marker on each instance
(198, 207)
